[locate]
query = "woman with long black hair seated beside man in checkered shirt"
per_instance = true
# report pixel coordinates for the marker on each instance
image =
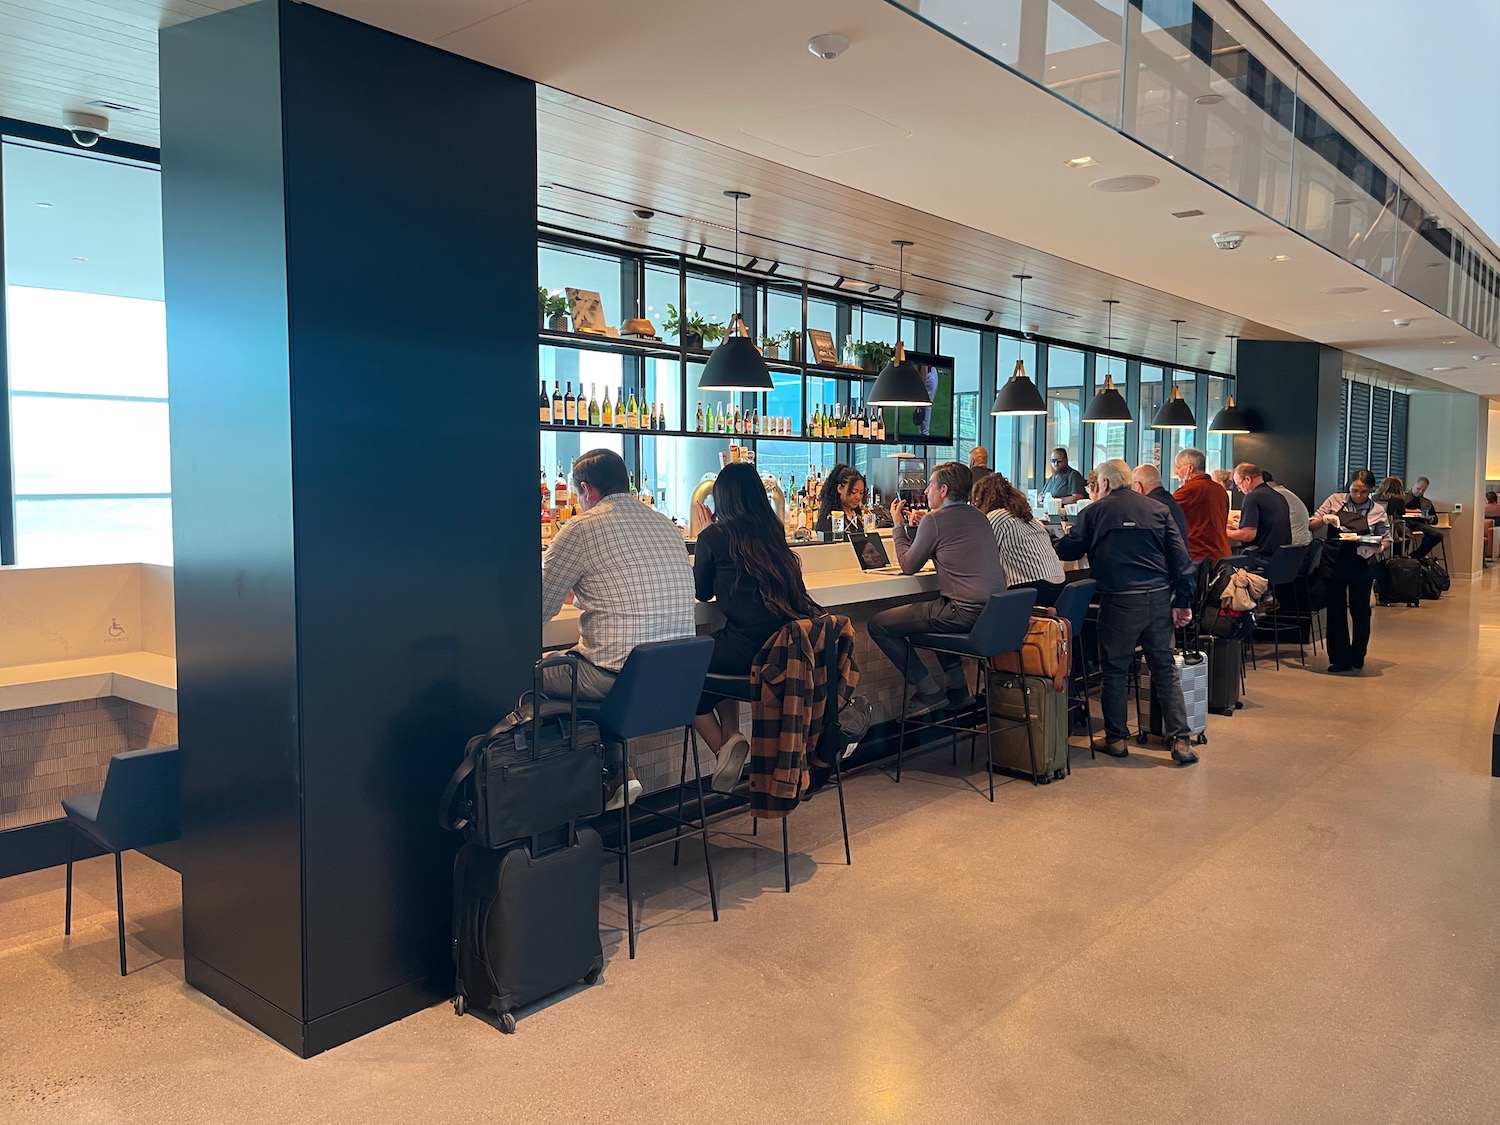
(743, 563)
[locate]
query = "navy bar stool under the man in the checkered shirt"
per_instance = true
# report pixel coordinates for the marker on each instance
(656, 691)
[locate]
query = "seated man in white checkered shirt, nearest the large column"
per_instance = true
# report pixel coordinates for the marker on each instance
(631, 577)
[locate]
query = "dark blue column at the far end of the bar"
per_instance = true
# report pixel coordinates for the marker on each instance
(1291, 391)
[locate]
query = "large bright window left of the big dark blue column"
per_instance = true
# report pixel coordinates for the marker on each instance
(86, 329)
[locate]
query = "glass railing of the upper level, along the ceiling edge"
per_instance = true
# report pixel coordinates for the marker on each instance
(1169, 76)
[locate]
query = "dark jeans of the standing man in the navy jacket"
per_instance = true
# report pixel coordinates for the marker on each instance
(1129, 620)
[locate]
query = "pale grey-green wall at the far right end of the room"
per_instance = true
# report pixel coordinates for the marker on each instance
(1448, 440)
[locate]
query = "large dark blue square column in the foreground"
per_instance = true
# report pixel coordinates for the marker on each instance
(350, 247)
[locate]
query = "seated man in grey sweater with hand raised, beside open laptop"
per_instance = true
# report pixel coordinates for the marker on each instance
(961, 545)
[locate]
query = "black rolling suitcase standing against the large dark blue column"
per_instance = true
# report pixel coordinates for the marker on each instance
(526, 923)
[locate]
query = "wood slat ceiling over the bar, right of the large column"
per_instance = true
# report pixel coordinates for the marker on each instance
(598, 164)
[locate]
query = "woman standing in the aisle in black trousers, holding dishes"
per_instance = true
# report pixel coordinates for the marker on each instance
(1349, 574)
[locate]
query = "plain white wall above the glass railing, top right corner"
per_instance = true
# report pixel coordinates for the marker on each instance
(1430, 74)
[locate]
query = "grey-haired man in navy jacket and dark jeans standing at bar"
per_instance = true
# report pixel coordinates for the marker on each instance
(1145, 584)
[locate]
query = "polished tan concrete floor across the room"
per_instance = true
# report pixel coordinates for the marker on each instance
(1304, 928)
